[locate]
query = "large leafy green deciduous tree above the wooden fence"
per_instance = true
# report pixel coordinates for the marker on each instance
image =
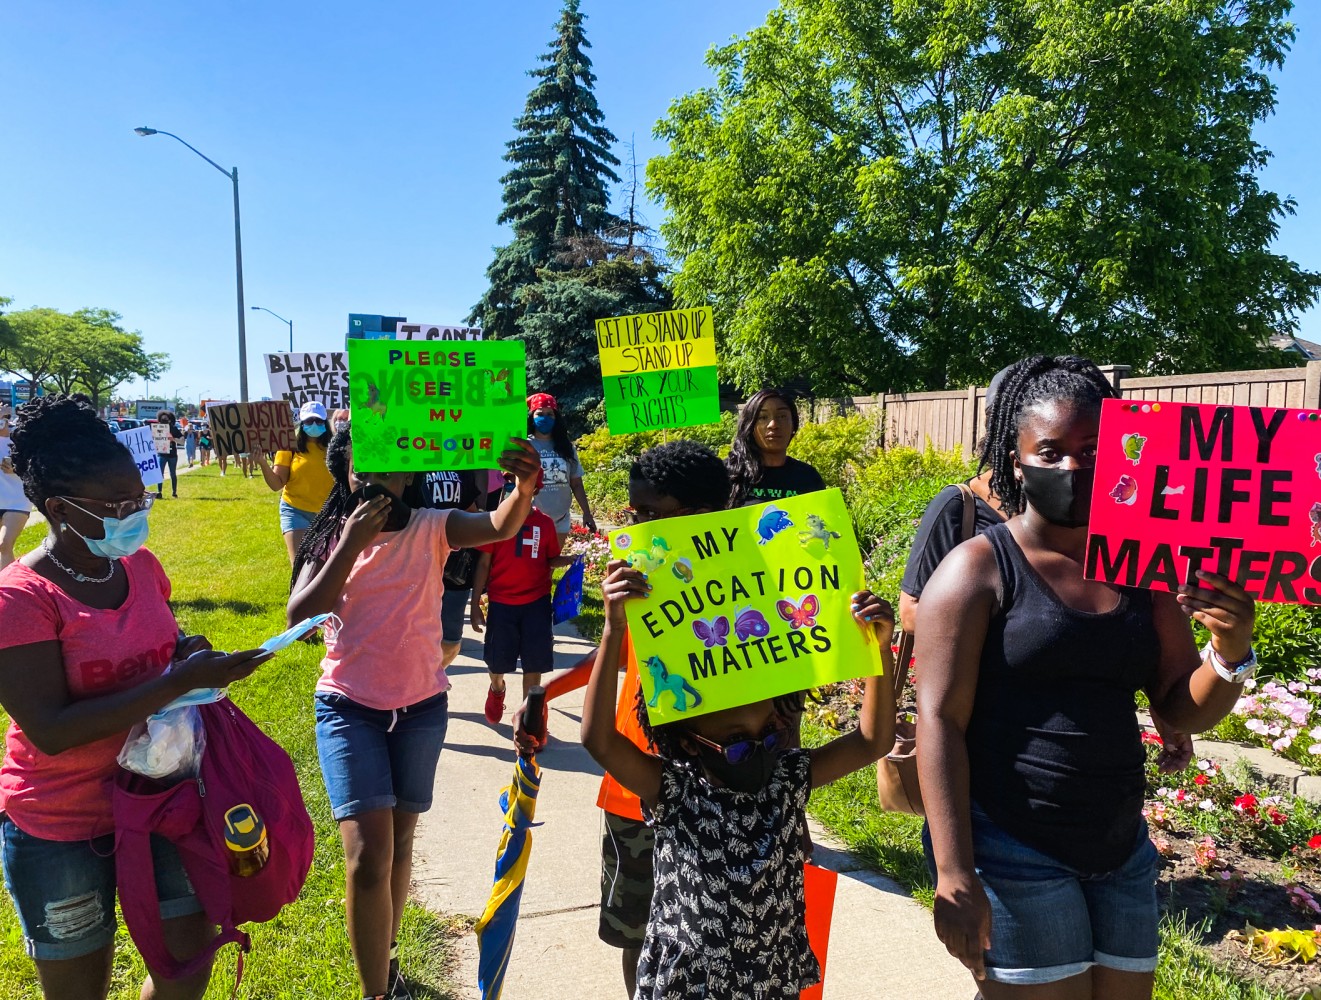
(912, 194)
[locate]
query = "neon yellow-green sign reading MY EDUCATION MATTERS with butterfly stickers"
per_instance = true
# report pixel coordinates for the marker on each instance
(747, 604)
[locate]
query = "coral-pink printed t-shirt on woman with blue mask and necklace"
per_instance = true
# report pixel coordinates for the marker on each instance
(67, 797)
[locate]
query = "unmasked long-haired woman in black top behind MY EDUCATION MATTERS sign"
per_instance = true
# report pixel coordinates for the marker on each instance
(760, 467)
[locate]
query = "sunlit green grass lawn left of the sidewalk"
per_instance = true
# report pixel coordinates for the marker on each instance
(223, 549)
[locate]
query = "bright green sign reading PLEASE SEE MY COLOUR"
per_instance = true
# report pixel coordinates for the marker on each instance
(421, 409)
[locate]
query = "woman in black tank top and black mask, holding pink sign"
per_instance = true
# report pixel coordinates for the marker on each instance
(1032, 766)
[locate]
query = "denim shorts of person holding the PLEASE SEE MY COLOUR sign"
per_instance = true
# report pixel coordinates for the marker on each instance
(375, 759)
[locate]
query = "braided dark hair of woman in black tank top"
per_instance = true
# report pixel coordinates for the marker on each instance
(1032, 381)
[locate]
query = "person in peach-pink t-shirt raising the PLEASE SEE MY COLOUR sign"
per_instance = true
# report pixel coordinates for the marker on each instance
(382, 705)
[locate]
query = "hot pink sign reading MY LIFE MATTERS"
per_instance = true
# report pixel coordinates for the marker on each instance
(1188, 487)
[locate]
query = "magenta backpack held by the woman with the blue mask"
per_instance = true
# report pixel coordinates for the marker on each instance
(241, 766)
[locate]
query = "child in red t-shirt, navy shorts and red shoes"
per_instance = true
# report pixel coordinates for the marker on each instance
(518, 620)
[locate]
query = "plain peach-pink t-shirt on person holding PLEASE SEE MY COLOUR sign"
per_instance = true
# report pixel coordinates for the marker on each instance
(386, 652)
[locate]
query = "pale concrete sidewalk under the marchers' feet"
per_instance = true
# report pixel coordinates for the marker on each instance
(882, 943)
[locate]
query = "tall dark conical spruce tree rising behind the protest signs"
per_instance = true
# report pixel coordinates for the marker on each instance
(557, 188)
